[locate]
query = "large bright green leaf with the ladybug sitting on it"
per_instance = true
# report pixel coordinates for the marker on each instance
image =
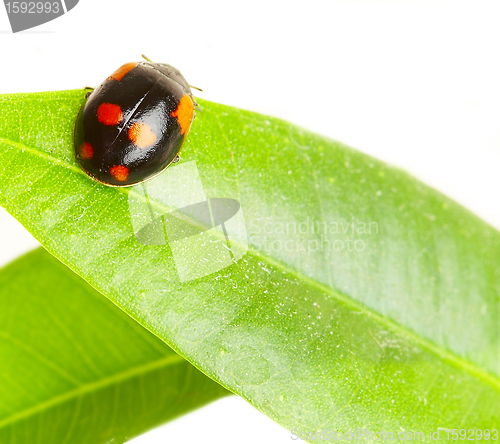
(365, 299)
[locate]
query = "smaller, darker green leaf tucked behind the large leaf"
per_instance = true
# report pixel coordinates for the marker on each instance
(76, 369)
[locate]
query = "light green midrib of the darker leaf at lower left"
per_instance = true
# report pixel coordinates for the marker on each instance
(92, 387)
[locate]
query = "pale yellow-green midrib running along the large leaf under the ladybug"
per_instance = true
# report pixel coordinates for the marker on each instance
(388, 322)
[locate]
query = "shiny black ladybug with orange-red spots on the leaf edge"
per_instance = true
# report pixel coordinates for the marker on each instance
(132, 126)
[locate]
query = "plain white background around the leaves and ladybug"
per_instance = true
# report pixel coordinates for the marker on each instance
(415, 83)
